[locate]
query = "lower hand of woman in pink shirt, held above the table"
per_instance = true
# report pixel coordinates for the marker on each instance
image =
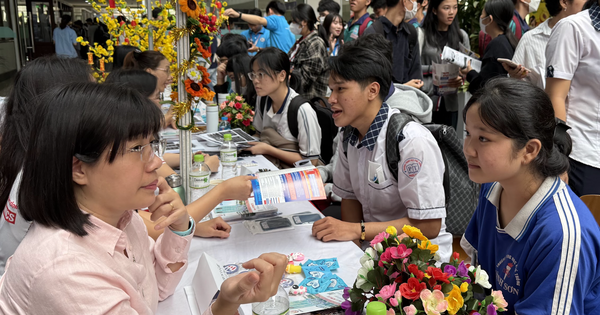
(254, 286)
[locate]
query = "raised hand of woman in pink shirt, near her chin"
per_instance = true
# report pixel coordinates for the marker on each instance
(168, 204)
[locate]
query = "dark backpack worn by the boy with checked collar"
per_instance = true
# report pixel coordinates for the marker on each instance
(460, 192)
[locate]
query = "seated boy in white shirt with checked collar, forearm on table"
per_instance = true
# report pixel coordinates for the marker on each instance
(372, 198)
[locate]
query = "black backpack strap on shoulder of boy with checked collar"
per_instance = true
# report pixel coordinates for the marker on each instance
(394, 136)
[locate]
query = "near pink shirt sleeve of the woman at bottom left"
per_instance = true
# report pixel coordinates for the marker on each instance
(64, 287)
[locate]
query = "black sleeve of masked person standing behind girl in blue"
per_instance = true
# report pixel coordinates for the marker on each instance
(490, 67)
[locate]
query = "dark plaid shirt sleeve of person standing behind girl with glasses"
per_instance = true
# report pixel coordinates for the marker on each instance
(310, 63)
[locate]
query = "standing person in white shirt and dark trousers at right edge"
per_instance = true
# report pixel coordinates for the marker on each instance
(572, 82)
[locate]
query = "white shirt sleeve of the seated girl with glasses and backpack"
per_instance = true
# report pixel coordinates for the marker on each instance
(309, 132)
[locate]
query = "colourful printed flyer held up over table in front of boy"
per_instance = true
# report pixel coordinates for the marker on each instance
(294, 184)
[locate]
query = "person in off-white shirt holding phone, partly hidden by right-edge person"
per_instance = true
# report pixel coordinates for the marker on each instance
(530, 53)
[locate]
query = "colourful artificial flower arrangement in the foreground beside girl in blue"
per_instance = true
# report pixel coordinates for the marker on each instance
(400, 271)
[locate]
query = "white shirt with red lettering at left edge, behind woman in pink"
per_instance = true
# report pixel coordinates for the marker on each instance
(12, 225)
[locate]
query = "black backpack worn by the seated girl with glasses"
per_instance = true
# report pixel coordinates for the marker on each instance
(324, 115)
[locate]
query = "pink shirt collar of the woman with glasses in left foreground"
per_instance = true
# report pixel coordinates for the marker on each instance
(108, 237)
